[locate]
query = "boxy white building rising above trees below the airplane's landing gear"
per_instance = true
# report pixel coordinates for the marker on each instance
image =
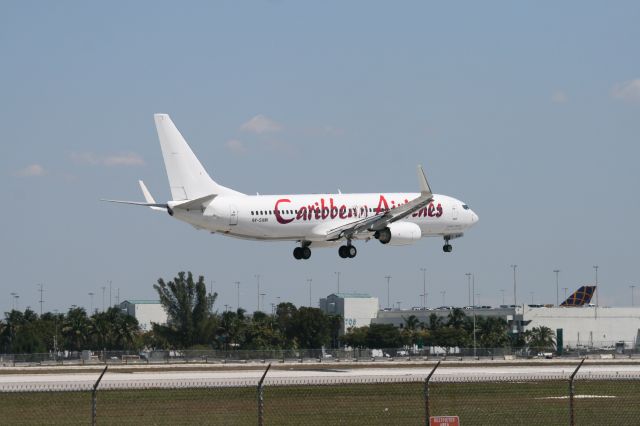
(356, 309)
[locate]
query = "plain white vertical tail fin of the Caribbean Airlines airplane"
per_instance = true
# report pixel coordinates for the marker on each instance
(187, 178)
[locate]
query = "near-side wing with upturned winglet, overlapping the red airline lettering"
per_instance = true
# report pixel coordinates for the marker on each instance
(378, 222)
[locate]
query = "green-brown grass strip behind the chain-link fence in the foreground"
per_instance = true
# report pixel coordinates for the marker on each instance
(524, 403)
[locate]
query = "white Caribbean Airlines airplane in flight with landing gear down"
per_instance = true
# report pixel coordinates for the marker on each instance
(311, 220)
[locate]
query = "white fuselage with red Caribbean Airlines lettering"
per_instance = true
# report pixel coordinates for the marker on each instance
(308, 217)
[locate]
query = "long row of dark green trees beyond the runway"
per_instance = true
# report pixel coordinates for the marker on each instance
(194, 324)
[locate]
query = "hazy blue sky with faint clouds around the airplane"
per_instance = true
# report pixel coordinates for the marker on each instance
(529, 112)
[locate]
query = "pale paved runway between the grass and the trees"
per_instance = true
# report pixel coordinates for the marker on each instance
(180, 379)
